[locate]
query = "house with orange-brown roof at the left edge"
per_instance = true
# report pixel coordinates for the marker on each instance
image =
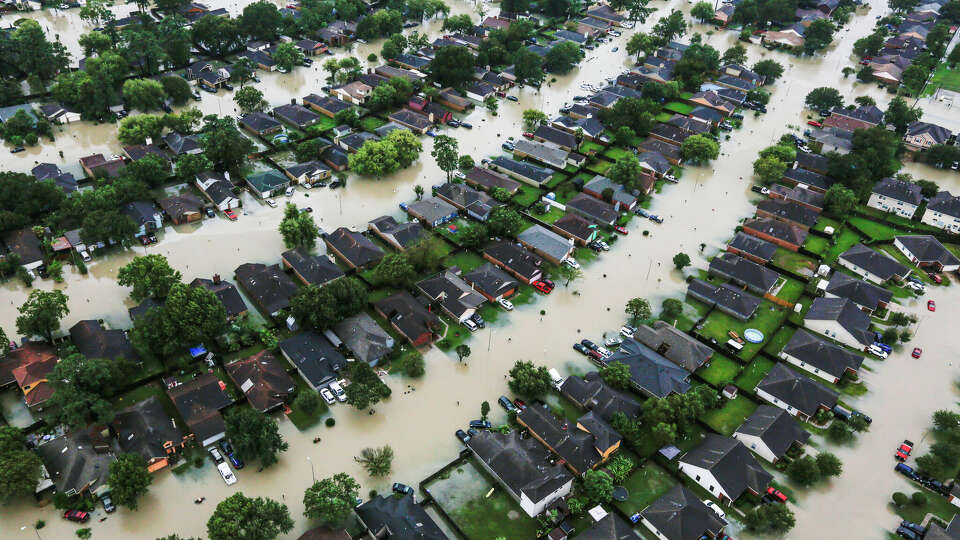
(29, 366)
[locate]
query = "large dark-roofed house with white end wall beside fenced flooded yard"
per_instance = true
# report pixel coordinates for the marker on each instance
(523, 467)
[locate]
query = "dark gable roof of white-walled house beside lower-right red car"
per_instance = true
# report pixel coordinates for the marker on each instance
(733, 466)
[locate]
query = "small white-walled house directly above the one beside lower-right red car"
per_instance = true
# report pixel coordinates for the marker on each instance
(770, 432)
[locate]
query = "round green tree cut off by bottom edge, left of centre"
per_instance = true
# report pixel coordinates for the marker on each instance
(239, 517)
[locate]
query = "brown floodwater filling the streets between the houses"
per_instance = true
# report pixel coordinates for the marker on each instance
(420, 418)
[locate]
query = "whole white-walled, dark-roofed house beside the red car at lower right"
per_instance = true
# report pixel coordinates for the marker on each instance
(725, 468)
